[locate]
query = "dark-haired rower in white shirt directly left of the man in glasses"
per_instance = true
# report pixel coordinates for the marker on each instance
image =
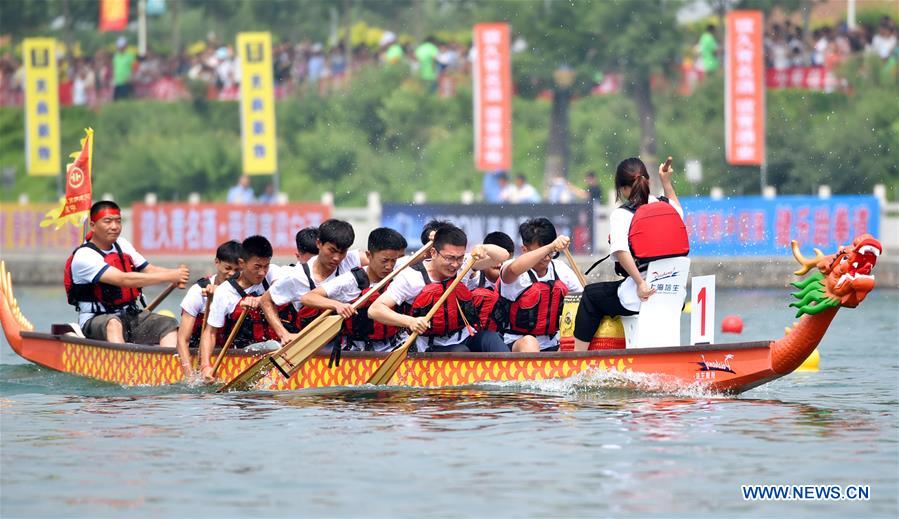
(361, 333)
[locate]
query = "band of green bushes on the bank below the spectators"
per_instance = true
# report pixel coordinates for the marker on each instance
(387, 134)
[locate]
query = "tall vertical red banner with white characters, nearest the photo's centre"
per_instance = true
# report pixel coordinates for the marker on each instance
(492, 97)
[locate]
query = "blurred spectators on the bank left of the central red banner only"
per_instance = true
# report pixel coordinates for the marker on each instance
(307, 66)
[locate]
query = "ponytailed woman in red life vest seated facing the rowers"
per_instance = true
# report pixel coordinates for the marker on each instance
(656, 228)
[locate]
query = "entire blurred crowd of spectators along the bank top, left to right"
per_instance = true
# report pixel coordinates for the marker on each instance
(312, 67)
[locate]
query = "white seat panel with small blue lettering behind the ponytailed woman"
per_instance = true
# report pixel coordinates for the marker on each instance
(658, 322)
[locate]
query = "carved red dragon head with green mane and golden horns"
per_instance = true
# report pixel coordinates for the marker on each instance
(841, 279)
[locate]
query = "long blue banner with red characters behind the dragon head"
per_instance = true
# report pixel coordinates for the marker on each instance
(757, 226)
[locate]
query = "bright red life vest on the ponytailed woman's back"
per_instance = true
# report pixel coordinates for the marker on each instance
(657, 231)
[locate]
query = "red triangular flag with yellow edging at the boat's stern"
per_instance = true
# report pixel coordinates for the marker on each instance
(77, 203)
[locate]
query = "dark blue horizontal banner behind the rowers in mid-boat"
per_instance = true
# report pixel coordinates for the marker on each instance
(477, 220)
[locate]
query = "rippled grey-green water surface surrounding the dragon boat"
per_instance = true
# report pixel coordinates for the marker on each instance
(589, 446)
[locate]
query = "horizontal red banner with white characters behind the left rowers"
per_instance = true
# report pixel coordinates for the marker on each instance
(200, 228)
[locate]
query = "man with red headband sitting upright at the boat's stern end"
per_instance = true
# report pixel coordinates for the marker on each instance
(103, 280)
